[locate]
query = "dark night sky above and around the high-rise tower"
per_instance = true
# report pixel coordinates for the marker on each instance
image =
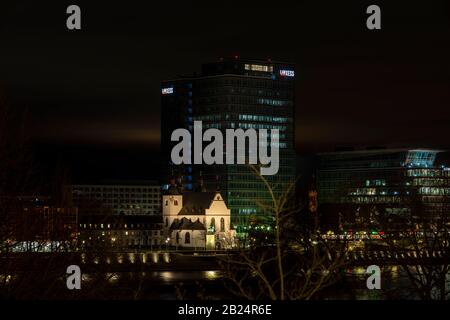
(99, 87)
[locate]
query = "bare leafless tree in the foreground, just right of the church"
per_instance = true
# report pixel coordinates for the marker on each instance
(298, 264)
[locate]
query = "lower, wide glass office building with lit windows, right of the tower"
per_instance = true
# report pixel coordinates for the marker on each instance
(405, 182)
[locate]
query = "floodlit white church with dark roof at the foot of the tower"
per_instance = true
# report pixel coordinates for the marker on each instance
(197, 220)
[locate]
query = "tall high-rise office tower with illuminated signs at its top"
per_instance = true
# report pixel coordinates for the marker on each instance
(232, 94)
